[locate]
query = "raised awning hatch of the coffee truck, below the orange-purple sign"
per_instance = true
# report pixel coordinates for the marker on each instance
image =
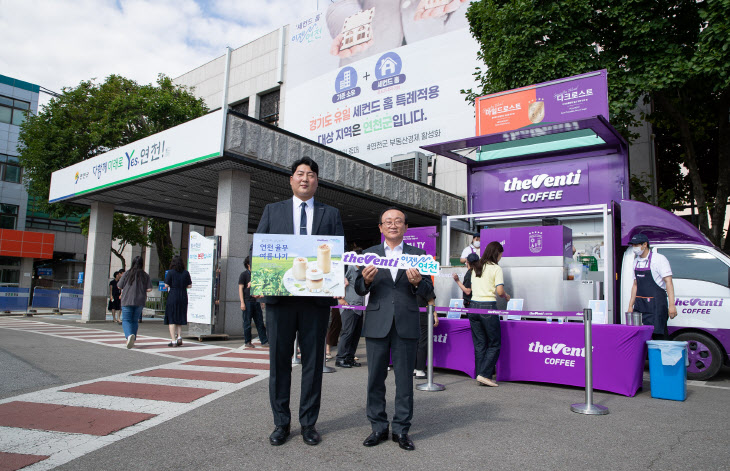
(590, 134)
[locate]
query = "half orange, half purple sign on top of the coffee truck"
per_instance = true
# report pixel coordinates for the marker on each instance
(567, 99)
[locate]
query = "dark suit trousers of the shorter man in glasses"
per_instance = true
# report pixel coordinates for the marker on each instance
(404, 358)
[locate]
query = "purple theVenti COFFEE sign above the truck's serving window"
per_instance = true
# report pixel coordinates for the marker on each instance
(547, 184)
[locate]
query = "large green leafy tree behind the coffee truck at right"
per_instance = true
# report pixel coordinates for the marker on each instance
(672, 53)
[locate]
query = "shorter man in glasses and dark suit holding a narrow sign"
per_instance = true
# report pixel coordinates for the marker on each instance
(391, 326)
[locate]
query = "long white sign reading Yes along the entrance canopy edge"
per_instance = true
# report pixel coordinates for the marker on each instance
(185, 144)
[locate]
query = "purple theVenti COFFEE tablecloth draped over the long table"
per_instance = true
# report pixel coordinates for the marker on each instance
(551, 353)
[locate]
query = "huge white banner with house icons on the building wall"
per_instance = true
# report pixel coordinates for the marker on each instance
(373, 78)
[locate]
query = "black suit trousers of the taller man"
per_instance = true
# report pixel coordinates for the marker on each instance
(284, 320)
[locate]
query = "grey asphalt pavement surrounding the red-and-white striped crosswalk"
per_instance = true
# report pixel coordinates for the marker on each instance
(515, 426)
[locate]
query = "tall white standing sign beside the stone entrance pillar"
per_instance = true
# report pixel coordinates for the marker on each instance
(201, 265)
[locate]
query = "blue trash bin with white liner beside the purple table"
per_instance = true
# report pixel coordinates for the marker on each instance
(668, 369)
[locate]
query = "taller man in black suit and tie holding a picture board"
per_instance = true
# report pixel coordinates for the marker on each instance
(288, 316)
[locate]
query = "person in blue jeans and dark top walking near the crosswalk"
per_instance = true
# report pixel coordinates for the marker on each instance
(135, 284)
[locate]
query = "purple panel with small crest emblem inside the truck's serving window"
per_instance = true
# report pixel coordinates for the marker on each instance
(538, 241)
